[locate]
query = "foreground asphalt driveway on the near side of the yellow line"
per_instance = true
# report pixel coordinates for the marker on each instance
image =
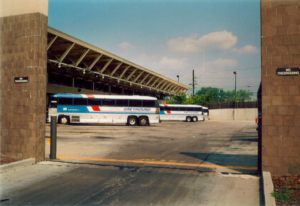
(50, 183)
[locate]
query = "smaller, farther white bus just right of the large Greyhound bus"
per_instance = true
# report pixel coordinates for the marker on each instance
(190, 113)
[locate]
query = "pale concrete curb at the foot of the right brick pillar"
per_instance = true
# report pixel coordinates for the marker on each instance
(268, 188)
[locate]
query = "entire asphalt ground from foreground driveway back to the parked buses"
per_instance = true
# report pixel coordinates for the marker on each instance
(205, 163)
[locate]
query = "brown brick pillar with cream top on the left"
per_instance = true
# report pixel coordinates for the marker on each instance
(23, 54)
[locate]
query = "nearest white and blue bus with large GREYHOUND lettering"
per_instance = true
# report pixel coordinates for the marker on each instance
(86, 108)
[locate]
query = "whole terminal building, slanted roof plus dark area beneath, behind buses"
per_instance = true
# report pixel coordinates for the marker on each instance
(74, 66)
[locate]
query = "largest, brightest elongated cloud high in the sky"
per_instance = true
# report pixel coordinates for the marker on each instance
(217, 40)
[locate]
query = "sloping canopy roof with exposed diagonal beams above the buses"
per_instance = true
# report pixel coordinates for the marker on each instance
(71, 57)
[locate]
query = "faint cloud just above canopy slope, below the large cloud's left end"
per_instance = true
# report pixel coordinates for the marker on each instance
(171, 63)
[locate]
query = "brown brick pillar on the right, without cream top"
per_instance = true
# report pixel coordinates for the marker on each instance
(280, 27)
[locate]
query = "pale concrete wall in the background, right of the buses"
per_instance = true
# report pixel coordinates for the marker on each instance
(228, 114)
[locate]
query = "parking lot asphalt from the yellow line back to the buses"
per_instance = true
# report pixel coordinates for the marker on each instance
(209, 146)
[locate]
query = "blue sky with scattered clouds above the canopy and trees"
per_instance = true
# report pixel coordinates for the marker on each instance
(172, 37)
